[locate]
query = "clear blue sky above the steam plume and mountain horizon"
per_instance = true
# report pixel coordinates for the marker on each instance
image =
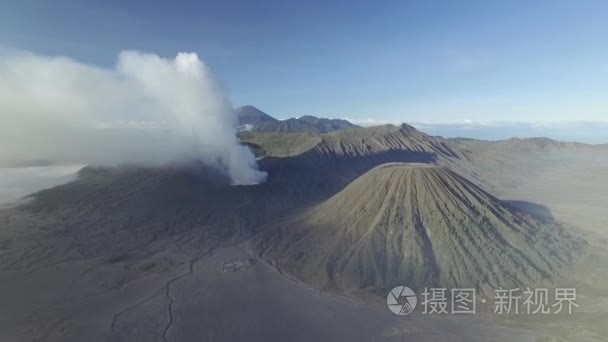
(431, 62)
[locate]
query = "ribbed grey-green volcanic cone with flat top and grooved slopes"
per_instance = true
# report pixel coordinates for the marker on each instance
(419, 225)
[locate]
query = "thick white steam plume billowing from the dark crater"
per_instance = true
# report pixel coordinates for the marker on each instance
(147, 110)
